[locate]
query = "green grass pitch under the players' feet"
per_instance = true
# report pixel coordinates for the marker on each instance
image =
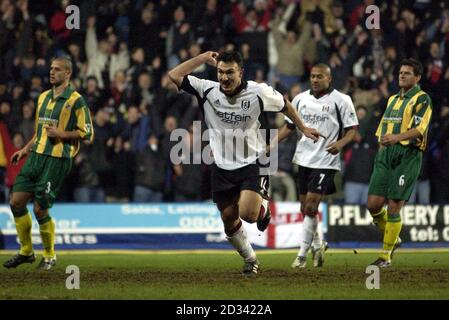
(170, 275)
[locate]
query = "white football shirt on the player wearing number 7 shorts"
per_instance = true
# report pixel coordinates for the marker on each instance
(330, 115)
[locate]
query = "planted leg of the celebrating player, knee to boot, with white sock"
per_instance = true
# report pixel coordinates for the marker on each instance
(237, 236)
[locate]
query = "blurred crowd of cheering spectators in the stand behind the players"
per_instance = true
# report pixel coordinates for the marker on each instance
(123, 49)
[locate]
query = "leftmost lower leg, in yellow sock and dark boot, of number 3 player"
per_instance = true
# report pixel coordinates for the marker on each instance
(22, 219)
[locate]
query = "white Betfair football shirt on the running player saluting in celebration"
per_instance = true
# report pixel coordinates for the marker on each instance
(234, 123)
